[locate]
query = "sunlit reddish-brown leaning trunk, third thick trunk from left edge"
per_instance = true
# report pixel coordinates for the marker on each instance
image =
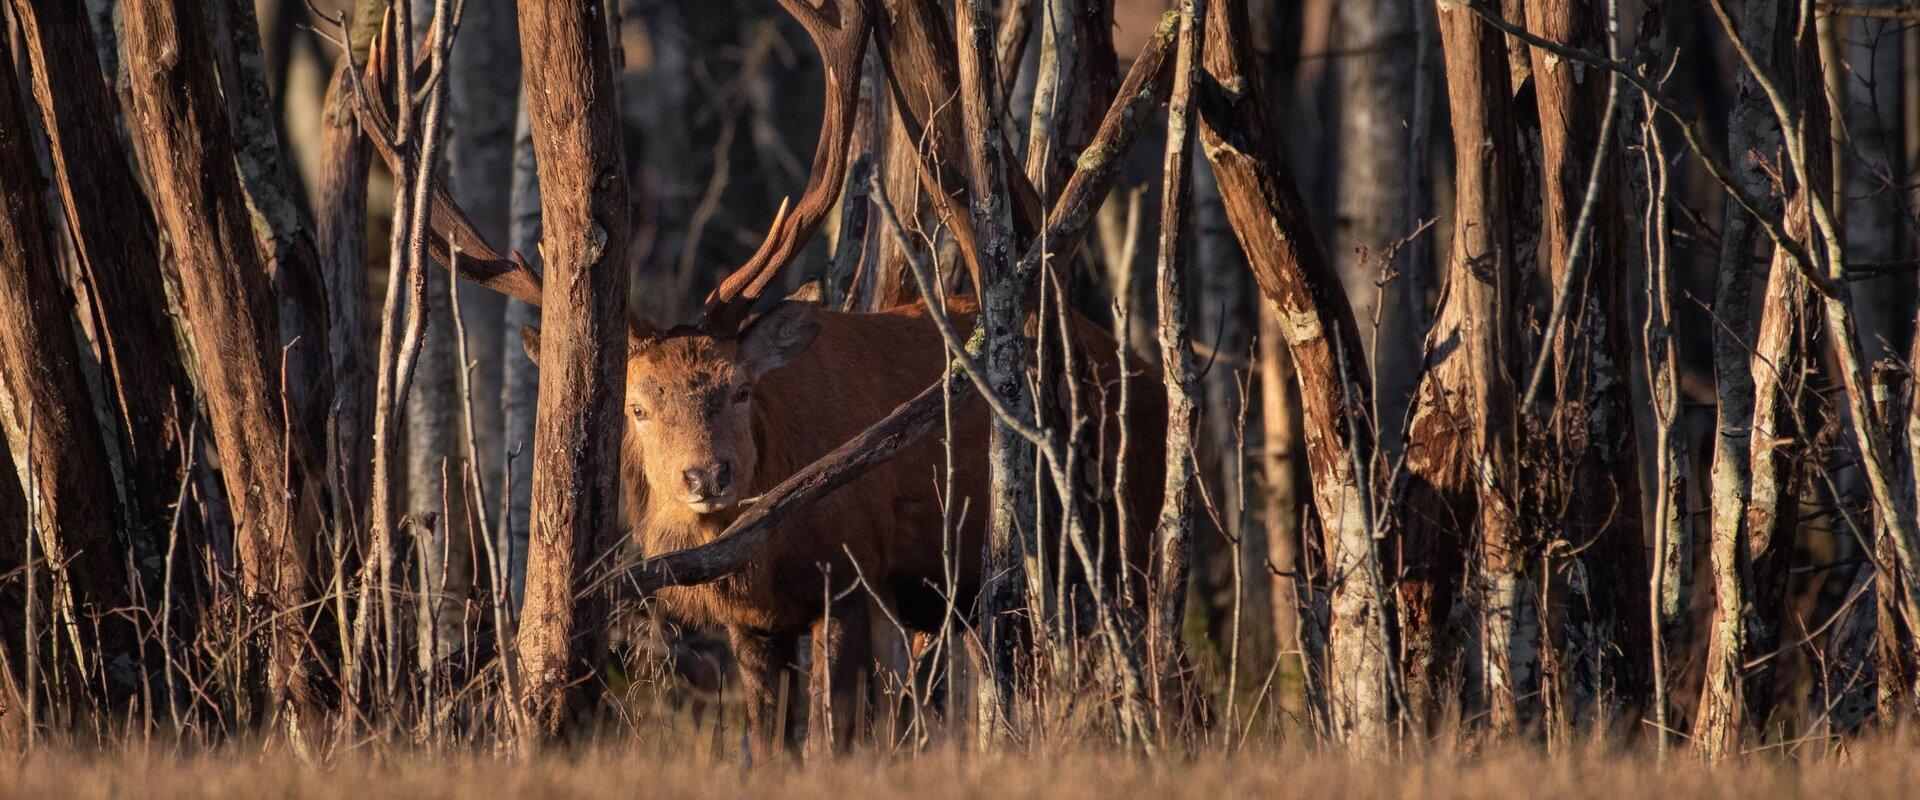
(231, 323)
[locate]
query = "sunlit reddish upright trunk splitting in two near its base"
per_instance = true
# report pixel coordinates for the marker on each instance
(1462, 444)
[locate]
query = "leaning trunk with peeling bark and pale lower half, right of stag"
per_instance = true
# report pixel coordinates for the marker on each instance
(1295, 275)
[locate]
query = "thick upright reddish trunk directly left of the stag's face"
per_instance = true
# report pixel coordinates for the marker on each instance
(577, 429)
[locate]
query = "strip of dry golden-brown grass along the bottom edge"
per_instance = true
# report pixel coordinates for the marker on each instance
(1881, 770)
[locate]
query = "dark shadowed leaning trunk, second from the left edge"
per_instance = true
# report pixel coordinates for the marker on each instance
(120, 270)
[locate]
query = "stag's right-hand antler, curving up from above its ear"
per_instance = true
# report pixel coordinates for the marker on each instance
(840, 30)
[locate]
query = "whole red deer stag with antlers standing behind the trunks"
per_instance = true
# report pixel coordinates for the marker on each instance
(731, 406)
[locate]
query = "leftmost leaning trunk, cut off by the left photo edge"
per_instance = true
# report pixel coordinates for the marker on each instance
(53, 435)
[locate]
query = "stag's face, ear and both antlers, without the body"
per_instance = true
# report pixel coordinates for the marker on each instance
(690, 388)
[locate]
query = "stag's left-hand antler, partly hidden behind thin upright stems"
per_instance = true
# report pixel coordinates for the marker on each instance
(448, 225)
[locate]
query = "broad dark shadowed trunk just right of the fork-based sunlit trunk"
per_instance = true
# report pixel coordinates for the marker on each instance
(1595, 415)
